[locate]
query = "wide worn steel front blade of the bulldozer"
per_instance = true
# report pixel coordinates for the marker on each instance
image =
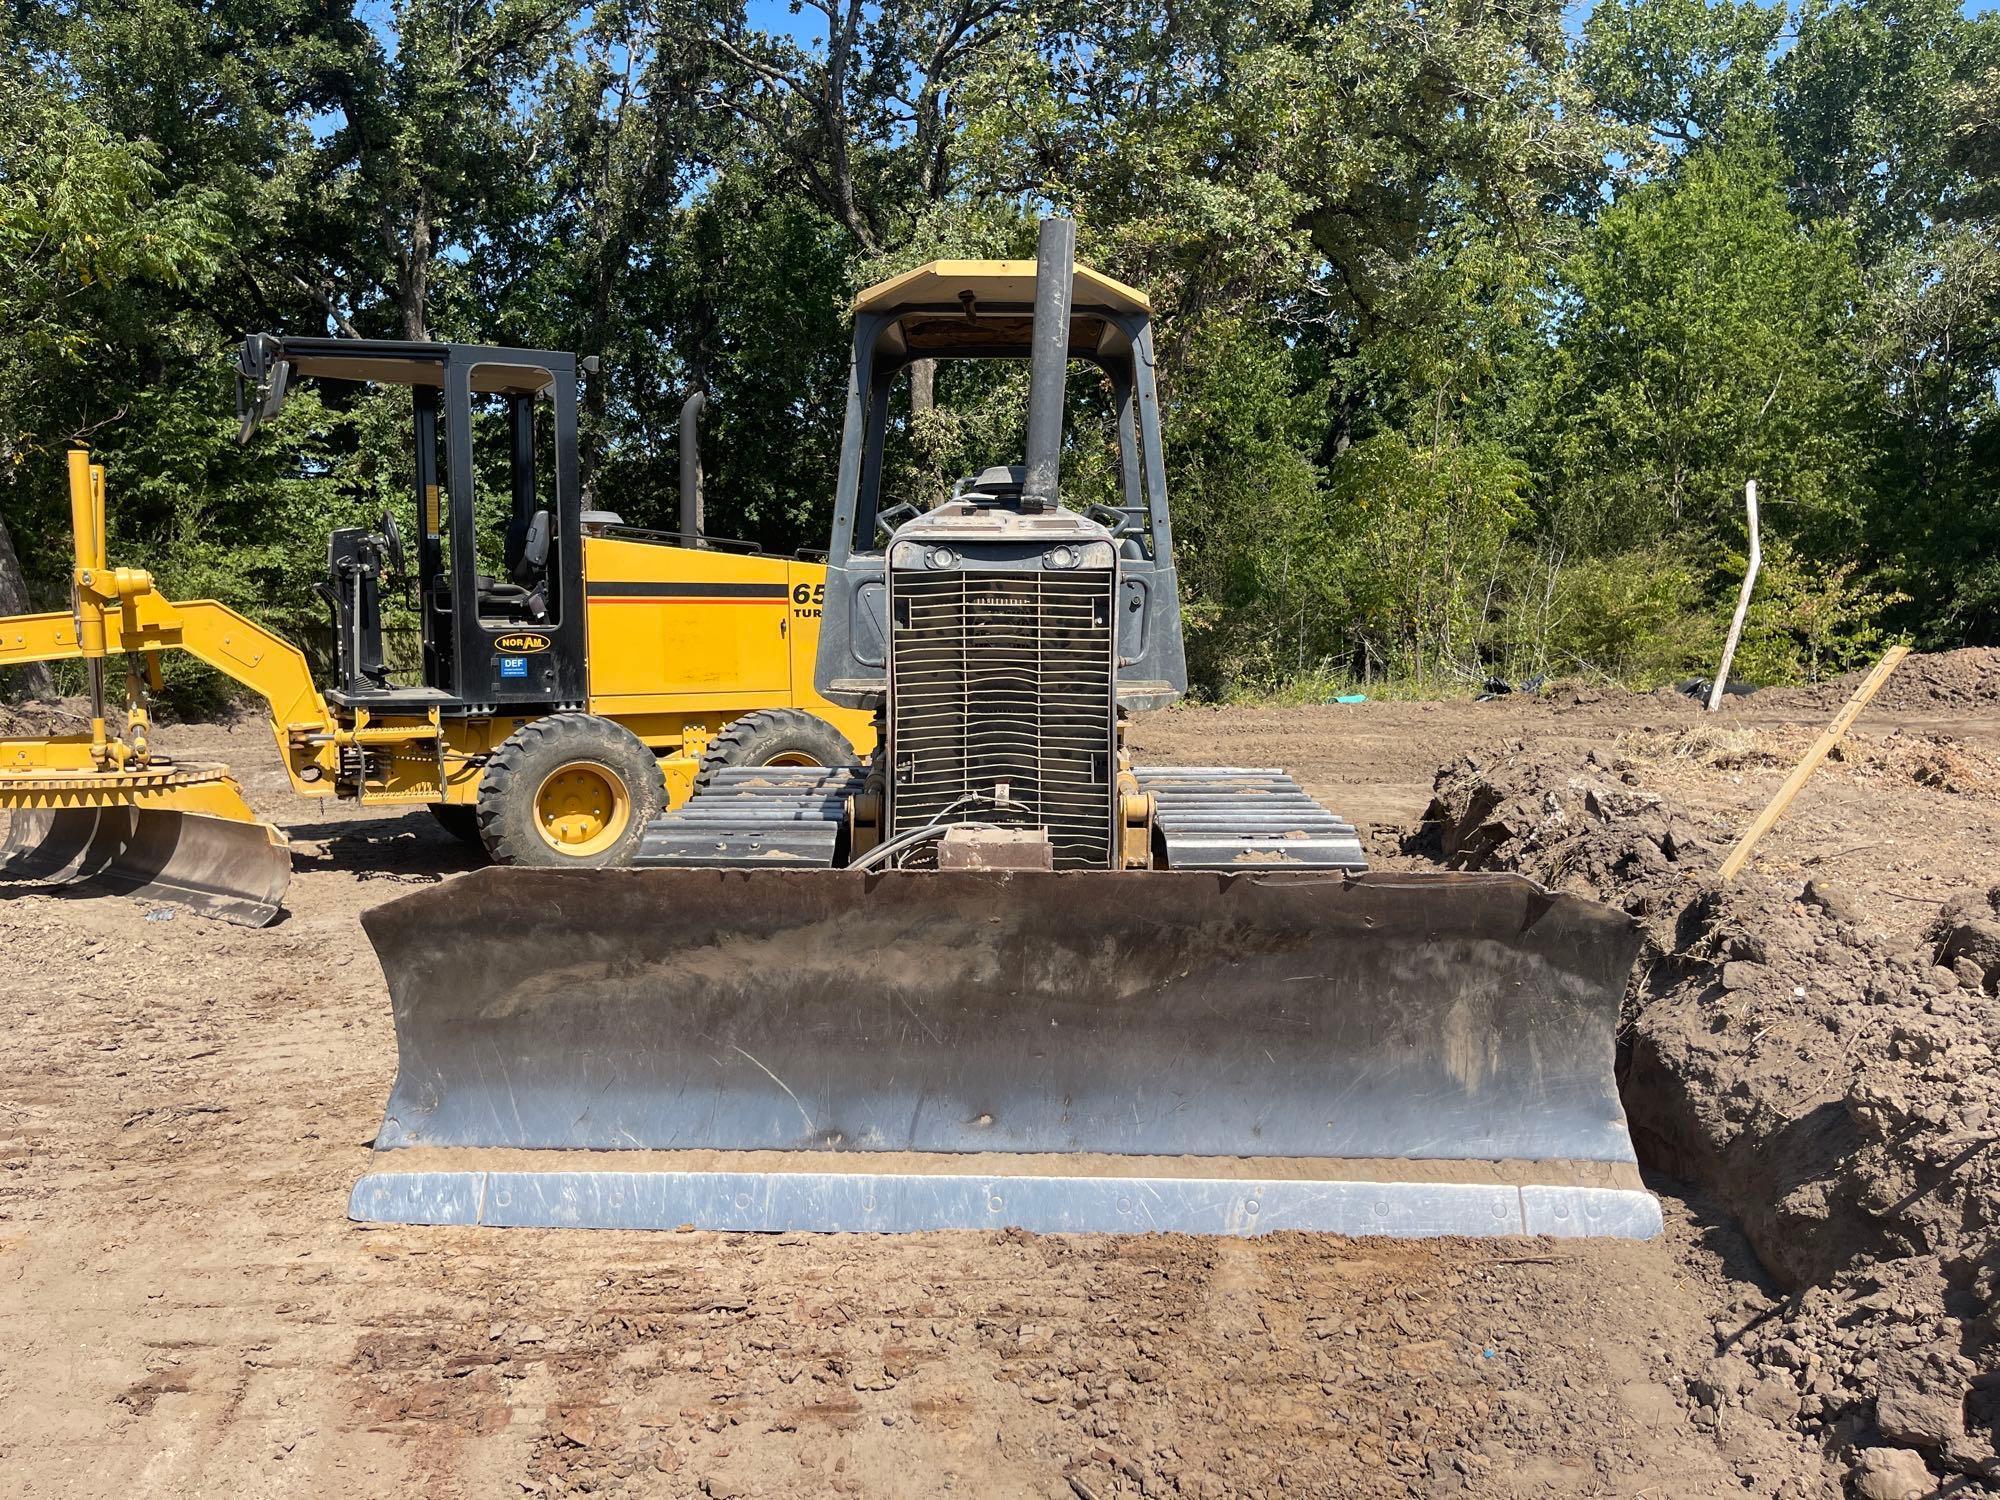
(1051, 1051)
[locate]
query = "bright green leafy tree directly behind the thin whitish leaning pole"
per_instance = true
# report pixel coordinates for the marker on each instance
(1705, 339)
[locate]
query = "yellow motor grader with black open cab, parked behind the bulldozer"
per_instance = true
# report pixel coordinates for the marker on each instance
(567, 695)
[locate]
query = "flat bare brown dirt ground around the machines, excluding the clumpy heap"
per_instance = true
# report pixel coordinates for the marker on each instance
(187, 1311)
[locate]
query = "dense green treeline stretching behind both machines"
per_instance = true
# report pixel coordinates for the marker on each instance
(1469, 329)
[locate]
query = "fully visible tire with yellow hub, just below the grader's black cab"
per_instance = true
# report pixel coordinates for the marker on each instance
(569, 793)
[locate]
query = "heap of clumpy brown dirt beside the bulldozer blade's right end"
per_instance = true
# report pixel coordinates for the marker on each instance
(1833, 1085)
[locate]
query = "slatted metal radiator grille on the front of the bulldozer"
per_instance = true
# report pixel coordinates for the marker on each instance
(1003, 677)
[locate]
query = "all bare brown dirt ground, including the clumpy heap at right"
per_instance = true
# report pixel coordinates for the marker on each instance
(187, 1311)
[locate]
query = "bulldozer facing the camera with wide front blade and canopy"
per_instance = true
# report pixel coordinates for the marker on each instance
(997, 975)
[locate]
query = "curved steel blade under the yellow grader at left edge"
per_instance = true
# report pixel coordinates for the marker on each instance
(219, 867)
